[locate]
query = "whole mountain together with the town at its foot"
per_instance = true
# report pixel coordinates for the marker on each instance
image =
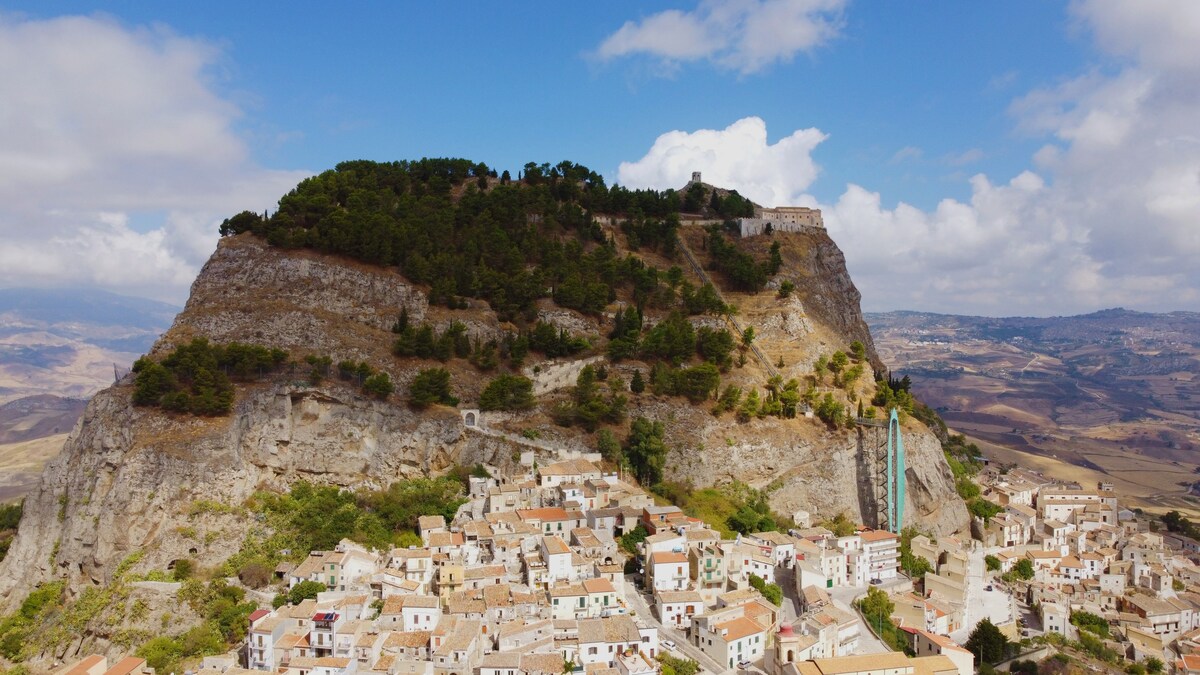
(272, 516)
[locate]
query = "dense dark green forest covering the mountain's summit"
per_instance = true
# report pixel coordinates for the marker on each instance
(466, 232)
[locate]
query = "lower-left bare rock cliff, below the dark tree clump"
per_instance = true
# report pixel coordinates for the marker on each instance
(134, 480)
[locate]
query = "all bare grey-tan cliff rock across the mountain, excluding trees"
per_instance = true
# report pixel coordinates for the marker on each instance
(141, 480)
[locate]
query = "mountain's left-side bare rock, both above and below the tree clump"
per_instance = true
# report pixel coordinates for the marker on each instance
(135, 480)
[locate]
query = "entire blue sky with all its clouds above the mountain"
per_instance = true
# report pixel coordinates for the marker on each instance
(937, 136)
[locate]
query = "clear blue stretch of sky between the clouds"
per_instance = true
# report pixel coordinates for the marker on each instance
(513, 83)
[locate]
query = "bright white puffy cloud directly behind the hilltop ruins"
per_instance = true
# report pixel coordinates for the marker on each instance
(736, 157)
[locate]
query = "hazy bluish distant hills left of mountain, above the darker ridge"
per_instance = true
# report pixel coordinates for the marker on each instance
(65, 342)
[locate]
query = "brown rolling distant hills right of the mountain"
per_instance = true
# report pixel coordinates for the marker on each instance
(1113, 395)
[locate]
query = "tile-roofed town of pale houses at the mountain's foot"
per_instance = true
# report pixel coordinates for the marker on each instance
(568, 569)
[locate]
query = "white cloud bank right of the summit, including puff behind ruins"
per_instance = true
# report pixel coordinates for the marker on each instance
(1107, 214)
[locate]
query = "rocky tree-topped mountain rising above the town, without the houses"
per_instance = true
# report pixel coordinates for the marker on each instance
(371, 277)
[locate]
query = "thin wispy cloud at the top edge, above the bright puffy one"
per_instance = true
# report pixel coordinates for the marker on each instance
(742, 35)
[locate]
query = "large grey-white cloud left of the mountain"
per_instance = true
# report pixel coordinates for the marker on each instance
(117, 157)
